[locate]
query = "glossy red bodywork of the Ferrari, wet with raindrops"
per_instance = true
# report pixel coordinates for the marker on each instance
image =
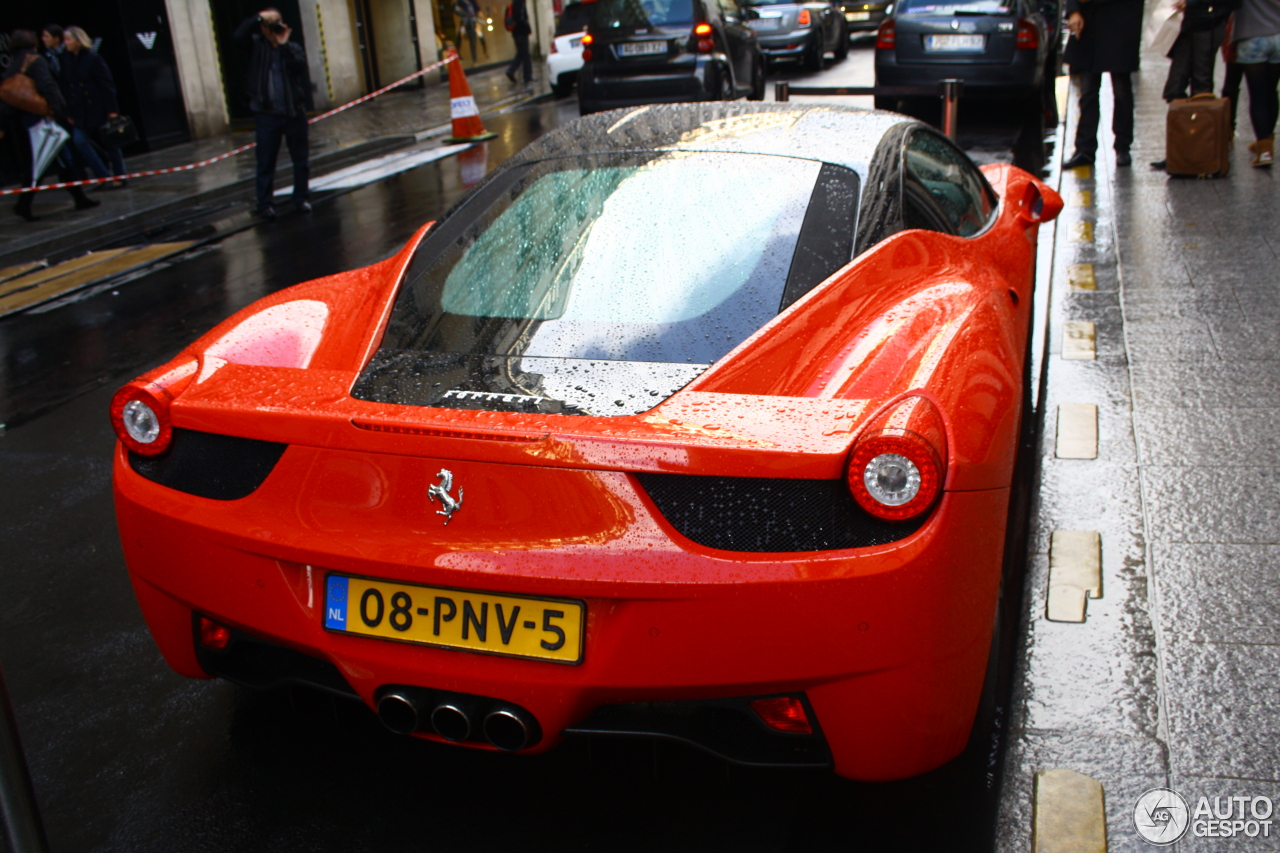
(889, 644)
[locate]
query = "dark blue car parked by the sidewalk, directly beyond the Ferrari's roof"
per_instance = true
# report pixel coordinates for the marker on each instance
(999, 49)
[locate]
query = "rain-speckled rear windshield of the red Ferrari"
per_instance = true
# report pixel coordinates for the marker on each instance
(673, 258)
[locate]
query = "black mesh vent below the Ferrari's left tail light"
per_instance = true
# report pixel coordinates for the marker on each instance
(223, 468)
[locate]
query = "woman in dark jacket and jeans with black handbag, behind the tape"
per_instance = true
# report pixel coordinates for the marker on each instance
(90, 92)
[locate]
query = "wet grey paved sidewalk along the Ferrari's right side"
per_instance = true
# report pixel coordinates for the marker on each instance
(1172, 679)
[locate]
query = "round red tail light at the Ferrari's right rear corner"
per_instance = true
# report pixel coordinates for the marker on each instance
(895, 475)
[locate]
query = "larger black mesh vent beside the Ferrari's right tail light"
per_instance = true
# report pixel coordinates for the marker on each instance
(765, 516)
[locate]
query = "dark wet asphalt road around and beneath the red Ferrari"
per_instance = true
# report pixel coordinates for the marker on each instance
(129, 756)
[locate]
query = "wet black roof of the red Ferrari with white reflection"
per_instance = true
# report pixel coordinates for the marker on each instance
(844, 136)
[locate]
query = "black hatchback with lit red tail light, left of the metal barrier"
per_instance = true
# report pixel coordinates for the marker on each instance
(660, 52)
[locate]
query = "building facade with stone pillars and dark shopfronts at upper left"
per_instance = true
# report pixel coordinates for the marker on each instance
(181, 75)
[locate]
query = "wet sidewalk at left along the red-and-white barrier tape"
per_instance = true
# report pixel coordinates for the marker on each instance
(396, 115)
